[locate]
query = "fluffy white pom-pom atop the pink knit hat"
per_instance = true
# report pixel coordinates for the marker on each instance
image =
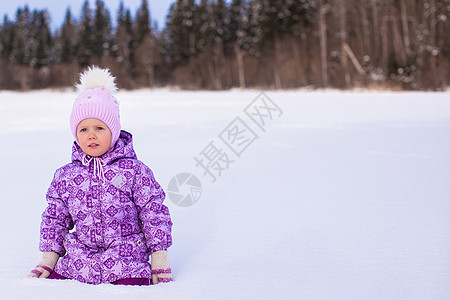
(95, 77)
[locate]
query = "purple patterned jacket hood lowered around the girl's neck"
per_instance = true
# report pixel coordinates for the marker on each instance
(122, 149)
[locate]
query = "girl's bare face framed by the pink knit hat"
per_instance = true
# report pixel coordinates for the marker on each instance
(94, 137)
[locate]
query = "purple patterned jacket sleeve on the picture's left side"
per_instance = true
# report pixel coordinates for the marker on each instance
(56, 219)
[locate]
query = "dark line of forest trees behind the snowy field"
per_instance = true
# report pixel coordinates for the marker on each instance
(274, 44)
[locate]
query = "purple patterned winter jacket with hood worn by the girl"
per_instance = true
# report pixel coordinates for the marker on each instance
(119, 219)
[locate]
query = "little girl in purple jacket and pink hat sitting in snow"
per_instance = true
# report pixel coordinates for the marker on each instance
(105, 214)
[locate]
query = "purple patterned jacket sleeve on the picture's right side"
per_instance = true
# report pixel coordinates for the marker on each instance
(154, 215)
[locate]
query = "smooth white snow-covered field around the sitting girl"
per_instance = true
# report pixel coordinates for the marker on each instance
(345, 195)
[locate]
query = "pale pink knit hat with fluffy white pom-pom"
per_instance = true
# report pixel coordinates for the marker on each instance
(96, 100)
